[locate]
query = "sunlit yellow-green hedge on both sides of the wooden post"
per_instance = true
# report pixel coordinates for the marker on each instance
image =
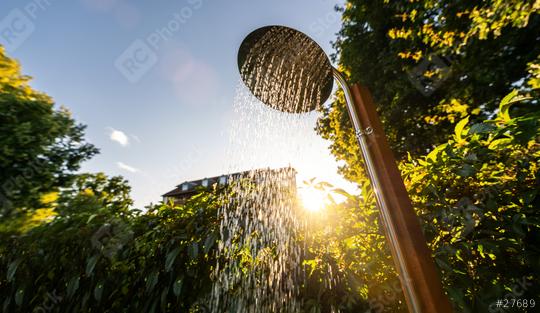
(477, 198)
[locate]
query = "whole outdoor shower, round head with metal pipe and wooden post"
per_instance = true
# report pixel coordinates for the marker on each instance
(290, 72)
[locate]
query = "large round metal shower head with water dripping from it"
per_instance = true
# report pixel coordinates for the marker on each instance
(285, 69)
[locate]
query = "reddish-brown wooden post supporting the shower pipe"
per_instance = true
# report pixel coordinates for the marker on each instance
(423, 277)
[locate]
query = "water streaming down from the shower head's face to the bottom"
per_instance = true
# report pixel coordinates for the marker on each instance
(259, 259)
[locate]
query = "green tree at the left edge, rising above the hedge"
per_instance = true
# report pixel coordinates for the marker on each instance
(40, 146)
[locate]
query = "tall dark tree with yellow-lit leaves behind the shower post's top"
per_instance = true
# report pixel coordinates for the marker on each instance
(478, 53)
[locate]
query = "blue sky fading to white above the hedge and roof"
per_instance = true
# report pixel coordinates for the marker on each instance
(155, 81)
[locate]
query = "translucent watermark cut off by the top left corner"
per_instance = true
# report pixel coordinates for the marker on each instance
(18, 25)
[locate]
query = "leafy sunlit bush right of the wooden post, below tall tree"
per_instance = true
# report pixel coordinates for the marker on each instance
(478, 197)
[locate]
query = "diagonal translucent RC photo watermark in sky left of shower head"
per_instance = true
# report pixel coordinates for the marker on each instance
(141, 55)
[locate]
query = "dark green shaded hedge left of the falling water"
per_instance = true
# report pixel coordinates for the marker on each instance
(104, 258)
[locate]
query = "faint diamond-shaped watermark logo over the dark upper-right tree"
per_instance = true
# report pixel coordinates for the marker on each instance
(429, 74)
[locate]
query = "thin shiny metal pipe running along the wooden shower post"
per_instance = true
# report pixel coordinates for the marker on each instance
(361, 133)
